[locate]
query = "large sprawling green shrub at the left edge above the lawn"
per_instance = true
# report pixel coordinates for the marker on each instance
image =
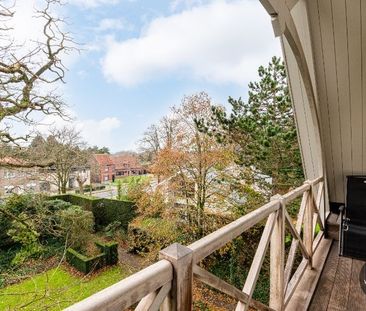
(36, 226)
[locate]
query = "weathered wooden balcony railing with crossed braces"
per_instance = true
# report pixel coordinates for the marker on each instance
(167, 284)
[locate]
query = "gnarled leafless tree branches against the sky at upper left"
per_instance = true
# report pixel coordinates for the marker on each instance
(26, 73)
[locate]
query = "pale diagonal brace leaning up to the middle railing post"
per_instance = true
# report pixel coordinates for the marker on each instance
(257, 262)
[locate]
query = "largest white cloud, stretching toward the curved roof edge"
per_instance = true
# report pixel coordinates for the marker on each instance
(220, 42)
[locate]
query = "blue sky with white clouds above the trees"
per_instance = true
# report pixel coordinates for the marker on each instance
(139, 58)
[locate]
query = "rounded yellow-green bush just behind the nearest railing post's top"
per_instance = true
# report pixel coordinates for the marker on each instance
(151, 234)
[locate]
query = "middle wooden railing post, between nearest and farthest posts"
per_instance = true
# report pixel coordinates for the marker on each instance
(277, 259)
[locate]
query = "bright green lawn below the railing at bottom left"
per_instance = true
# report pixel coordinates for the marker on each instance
(56, 289)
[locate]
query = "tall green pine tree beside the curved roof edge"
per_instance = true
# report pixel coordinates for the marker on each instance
(263, 128)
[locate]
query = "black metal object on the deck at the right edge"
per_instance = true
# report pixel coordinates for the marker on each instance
(352, 240)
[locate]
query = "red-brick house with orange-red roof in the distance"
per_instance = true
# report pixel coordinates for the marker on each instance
(110, 167)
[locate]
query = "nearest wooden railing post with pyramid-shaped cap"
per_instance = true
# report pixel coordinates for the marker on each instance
(181, 293)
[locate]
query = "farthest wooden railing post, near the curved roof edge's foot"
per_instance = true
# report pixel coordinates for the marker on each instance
(308, 225)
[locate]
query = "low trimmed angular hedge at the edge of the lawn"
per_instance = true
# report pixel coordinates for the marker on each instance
(107, 257)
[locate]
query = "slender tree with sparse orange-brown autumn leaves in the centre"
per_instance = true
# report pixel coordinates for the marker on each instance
(195, 163)
